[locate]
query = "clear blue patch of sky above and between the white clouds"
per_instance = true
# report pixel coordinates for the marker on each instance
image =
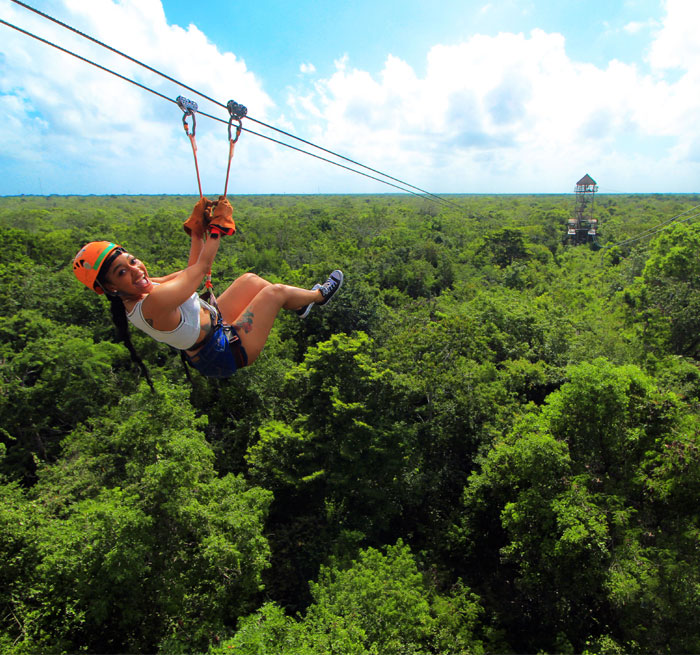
(368, 30)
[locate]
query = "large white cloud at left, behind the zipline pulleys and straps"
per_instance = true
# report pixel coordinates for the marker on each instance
(100, 129)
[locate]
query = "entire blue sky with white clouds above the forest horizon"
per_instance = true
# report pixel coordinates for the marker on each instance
(501, 96)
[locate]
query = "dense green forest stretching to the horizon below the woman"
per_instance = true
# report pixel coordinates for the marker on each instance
(487, 443)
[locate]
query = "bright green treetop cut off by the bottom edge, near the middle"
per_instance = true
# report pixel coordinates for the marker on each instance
(380, 604)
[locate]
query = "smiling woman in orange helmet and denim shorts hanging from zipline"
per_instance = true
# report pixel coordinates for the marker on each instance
(216, 339)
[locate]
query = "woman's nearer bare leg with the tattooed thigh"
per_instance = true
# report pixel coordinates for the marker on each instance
(254, 323)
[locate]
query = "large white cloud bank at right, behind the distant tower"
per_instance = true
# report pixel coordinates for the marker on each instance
(514, 112)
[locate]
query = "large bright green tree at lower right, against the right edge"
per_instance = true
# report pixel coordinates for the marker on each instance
(563, 511)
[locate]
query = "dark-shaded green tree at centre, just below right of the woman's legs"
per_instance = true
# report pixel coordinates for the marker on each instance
(344, 441)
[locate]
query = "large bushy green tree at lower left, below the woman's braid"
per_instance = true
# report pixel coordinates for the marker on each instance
(141, 546)
